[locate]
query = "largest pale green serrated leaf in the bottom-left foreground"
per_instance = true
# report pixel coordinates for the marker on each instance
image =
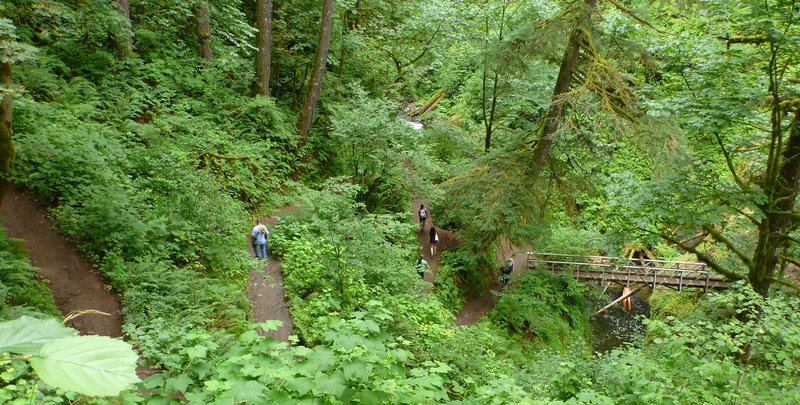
(91, 365)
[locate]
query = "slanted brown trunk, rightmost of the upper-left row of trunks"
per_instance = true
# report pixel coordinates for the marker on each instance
(315, 83)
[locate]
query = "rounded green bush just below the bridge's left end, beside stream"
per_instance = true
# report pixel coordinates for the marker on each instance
(550, 309)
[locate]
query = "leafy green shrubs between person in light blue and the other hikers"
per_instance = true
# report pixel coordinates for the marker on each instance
(337, 260)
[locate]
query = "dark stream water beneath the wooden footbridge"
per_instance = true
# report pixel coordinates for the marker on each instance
(616, 326)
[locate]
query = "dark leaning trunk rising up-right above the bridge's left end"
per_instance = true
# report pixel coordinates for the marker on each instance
(565, 71)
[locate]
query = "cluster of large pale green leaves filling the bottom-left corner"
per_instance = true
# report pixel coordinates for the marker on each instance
(91, 365)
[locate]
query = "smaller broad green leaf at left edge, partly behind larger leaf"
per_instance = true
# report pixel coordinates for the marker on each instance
(26, 335)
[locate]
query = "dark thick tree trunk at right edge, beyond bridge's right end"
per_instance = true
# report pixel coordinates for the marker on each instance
(776, 222)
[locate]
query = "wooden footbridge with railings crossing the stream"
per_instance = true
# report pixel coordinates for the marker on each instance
(654, 273)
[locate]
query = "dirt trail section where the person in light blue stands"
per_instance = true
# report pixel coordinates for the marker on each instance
(267, 296)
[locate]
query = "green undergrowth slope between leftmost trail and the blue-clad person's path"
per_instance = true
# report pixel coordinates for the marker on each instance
(153, 195)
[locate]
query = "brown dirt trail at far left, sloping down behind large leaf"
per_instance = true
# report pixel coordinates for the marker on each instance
(76, 285)
